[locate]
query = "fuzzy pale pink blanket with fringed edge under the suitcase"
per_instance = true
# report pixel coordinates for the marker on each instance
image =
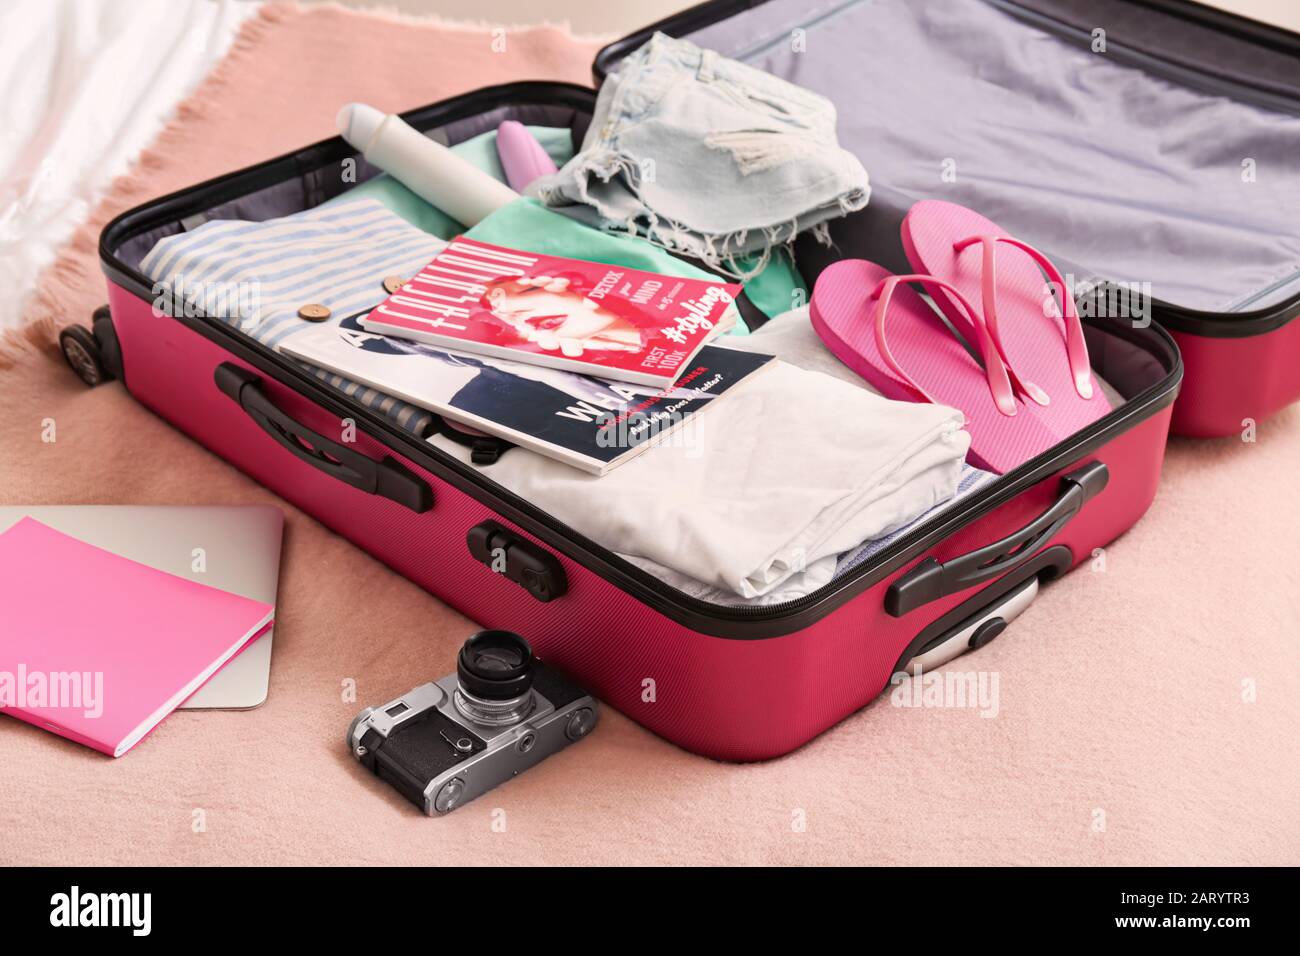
(1149, 706)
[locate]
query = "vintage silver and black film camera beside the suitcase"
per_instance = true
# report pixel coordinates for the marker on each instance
(448, 742)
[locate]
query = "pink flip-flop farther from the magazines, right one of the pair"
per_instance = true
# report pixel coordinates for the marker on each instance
(1039, 338)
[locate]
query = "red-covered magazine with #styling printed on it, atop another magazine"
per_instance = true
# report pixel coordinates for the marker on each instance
(570, 314)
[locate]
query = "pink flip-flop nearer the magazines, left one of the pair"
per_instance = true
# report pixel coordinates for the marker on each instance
(865, 315)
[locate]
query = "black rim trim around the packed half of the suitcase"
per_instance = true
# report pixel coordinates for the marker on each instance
(721, 621)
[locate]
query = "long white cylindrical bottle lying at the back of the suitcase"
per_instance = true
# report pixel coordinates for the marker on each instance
(427, 168)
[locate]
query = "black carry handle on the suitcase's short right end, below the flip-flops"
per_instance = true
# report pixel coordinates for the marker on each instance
(931, 581)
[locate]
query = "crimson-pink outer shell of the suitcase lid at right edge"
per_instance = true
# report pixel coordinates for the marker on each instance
(1229, 380)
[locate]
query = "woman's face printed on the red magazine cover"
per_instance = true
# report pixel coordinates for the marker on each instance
(547, 310)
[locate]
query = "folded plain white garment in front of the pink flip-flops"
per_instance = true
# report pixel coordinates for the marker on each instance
(790, 470)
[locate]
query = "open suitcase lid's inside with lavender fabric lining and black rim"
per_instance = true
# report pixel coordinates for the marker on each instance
(1156, 144)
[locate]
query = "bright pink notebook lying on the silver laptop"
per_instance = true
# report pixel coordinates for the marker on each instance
(99, 648)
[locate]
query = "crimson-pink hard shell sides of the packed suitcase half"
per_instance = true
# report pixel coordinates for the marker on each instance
(723, 698)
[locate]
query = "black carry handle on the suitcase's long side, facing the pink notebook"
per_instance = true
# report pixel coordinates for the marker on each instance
(389, 478)
